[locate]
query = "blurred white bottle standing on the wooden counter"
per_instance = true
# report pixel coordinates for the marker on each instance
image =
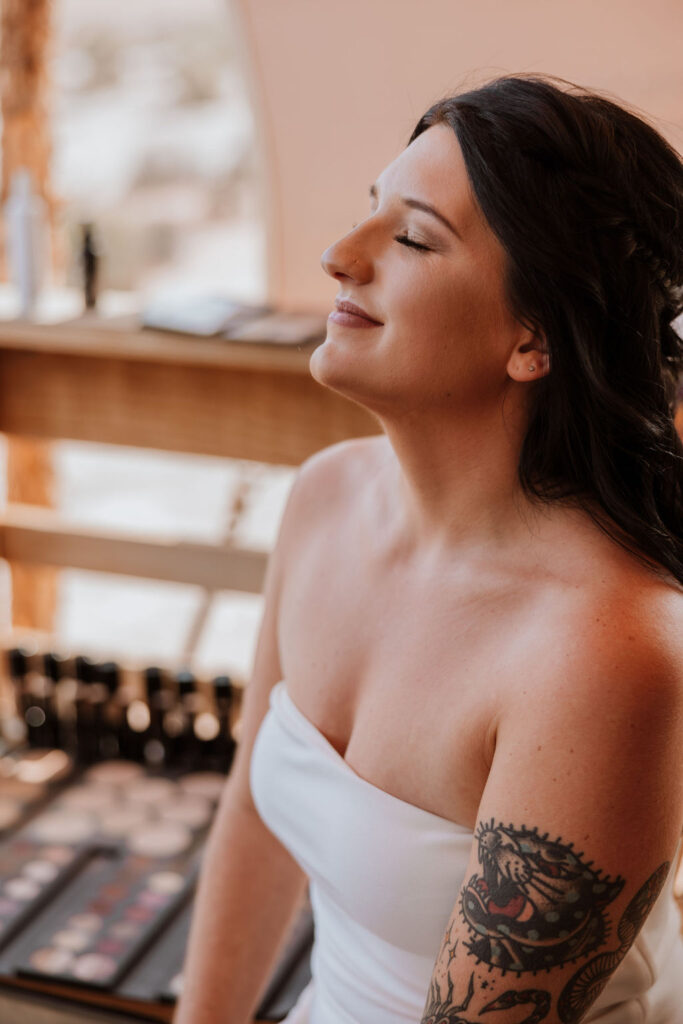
(27, 240)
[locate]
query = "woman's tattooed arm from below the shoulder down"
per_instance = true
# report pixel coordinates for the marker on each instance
(577, 827)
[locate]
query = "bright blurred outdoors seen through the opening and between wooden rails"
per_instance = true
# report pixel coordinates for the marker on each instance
(152, 138)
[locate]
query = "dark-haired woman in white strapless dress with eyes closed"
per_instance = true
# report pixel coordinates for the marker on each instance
(465, 720)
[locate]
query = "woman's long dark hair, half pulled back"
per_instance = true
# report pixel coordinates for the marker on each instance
(587, 201)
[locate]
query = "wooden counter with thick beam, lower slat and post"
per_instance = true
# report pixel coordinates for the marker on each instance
(108, 380)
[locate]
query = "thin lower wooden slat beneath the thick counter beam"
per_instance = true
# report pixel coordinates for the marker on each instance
(40, 537)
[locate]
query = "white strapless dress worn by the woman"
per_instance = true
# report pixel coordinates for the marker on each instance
(385, 878)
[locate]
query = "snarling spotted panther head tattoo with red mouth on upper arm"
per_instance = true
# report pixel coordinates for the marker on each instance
(537, 905)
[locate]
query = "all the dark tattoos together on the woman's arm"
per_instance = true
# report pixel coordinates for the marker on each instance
(537, 906)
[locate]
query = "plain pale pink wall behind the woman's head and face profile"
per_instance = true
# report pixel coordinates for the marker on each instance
(338, 87)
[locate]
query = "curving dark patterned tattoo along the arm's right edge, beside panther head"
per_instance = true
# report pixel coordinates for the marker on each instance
(587, 984)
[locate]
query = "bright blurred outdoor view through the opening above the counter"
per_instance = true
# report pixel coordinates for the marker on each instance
(153, 140)
